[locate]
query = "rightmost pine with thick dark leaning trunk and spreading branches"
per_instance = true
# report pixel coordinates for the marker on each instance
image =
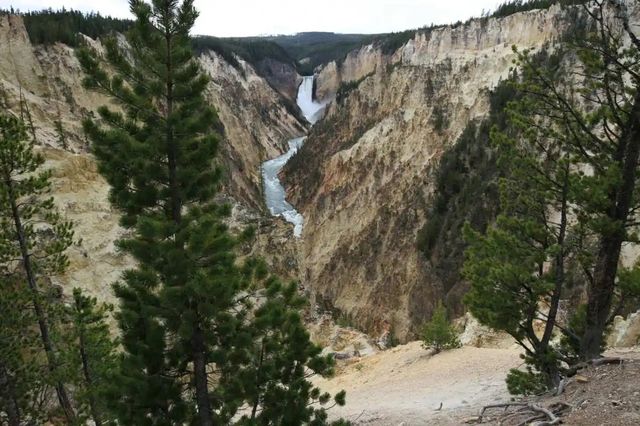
(600, 125)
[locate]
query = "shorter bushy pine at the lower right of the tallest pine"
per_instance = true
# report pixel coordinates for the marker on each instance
(275, 376)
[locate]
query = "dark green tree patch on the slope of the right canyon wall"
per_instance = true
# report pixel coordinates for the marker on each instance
(466, 190)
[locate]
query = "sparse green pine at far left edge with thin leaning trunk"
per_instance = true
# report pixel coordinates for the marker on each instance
(33, 243)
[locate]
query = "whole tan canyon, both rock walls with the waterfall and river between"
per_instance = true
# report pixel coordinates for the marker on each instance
(363, 180)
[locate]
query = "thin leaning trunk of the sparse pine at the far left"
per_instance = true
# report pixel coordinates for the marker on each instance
(61, 392)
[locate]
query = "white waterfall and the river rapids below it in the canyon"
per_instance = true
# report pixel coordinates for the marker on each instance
(274, 192)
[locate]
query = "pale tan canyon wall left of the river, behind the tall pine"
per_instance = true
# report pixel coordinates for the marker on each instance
(256, 121)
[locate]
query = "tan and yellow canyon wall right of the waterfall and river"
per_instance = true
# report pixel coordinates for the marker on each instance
(365, 174)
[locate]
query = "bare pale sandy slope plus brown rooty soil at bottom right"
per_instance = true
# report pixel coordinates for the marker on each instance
(407, 385)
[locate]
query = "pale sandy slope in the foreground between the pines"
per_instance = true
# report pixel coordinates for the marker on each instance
(406, 385)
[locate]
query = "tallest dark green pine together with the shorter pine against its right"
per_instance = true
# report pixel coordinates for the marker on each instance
(190, 330)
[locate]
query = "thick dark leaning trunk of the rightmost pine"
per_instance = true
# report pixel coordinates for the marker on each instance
(600, 293)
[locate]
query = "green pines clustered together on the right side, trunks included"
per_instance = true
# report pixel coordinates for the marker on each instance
(523, 260)
